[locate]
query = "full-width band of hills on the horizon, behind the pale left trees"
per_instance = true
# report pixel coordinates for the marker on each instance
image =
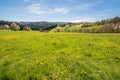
(104, 26)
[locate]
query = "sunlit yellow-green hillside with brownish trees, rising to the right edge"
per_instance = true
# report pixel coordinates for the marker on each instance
(111, 25)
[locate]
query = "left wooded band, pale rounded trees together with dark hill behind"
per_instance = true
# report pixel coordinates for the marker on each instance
(41, 26)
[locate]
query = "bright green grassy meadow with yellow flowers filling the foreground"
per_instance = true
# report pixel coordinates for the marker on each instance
(59, 56)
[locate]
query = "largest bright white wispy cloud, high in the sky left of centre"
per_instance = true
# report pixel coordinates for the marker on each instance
(39, 9)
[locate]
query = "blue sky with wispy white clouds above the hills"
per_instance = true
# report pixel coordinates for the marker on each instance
(58, 10)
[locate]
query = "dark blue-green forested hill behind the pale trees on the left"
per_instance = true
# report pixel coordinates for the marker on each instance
(33, 25)
